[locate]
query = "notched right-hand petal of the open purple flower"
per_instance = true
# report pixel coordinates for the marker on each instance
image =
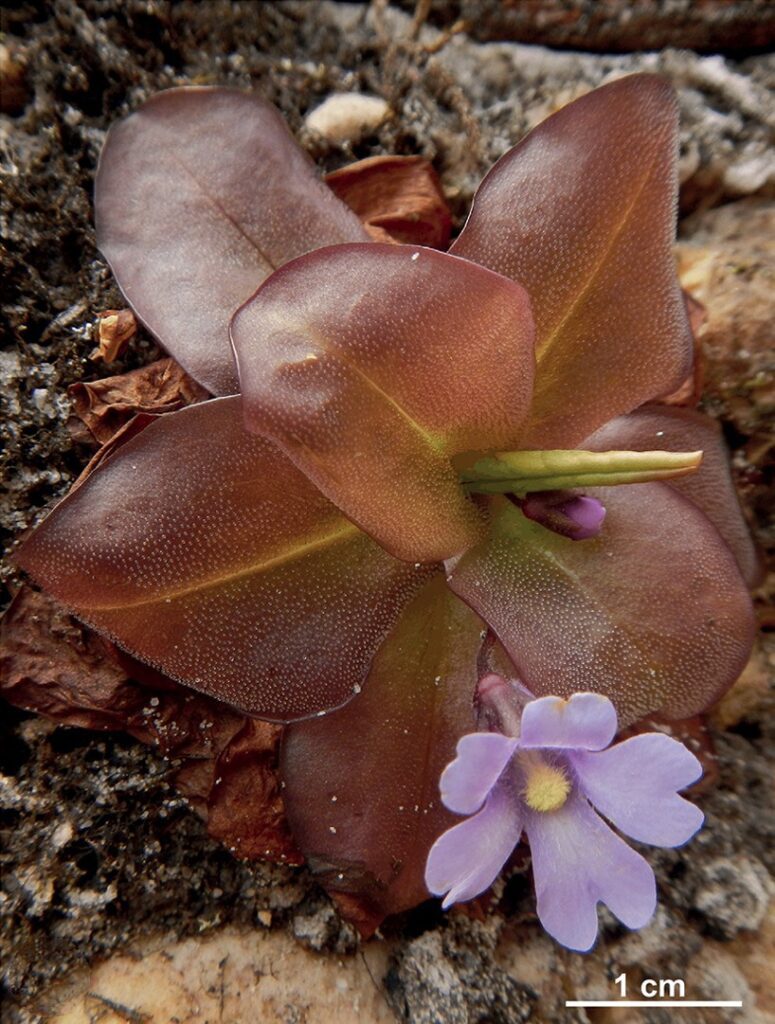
(634, 786)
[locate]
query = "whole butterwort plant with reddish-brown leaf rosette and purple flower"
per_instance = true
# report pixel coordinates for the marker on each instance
(408, 454)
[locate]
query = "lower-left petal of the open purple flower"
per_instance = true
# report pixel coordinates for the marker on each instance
(465, 861)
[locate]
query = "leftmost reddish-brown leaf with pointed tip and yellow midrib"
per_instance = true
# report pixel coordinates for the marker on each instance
(201, 549)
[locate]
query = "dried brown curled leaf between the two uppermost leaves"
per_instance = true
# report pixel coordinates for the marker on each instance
(399, 199)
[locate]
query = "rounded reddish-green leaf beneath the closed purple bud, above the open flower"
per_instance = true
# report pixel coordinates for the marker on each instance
(653, 613)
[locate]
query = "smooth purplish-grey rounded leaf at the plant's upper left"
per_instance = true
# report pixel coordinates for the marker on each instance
(200, 196)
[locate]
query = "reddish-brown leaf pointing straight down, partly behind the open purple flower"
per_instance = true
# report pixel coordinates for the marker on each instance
(362, 786)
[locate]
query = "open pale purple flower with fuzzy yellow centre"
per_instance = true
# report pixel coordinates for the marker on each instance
(549, 775)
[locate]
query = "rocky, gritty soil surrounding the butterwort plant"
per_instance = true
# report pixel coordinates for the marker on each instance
(115, 906)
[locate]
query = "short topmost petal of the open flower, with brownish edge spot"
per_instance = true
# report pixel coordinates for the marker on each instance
(587, 721)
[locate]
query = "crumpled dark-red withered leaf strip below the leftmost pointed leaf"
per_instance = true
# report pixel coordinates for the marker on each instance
(224, 763)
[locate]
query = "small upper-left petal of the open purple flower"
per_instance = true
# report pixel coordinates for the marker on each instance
(467, 781)
